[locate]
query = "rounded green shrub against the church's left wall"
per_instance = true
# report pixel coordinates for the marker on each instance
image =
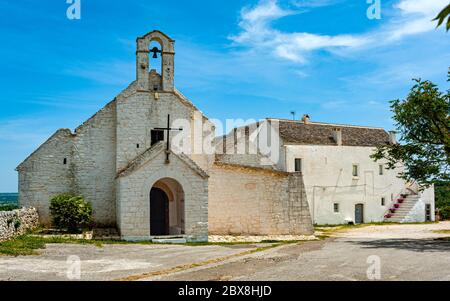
(70, 212)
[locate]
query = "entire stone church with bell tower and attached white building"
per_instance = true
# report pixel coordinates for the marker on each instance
(124, 160)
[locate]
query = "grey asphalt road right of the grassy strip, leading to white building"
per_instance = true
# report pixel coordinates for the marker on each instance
(395, 252)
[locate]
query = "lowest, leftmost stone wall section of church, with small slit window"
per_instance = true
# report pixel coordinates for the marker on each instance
(44, 174)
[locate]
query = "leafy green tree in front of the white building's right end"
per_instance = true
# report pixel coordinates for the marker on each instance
(423, 122)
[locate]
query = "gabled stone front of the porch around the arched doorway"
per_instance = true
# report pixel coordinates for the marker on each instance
(133, 197)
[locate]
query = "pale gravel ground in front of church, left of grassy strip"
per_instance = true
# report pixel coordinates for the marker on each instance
(109, 262)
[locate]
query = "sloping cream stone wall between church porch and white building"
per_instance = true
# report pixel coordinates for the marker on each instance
(255, 201)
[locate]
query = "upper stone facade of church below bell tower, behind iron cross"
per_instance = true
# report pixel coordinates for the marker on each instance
(140, 112)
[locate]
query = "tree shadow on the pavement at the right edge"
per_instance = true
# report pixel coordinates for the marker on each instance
(416, 245)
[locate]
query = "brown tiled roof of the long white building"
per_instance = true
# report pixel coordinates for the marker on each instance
(298, 132)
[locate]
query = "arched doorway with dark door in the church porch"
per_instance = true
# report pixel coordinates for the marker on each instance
(166, 208)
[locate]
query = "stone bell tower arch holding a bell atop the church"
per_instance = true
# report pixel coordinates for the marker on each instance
(143, 53)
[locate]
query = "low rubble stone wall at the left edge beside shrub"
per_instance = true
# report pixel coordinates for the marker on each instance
(17, 222)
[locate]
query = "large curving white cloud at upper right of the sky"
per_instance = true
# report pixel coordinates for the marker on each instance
(410, 17)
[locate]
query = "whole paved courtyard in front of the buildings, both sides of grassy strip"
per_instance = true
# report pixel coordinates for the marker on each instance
(405, 252)
